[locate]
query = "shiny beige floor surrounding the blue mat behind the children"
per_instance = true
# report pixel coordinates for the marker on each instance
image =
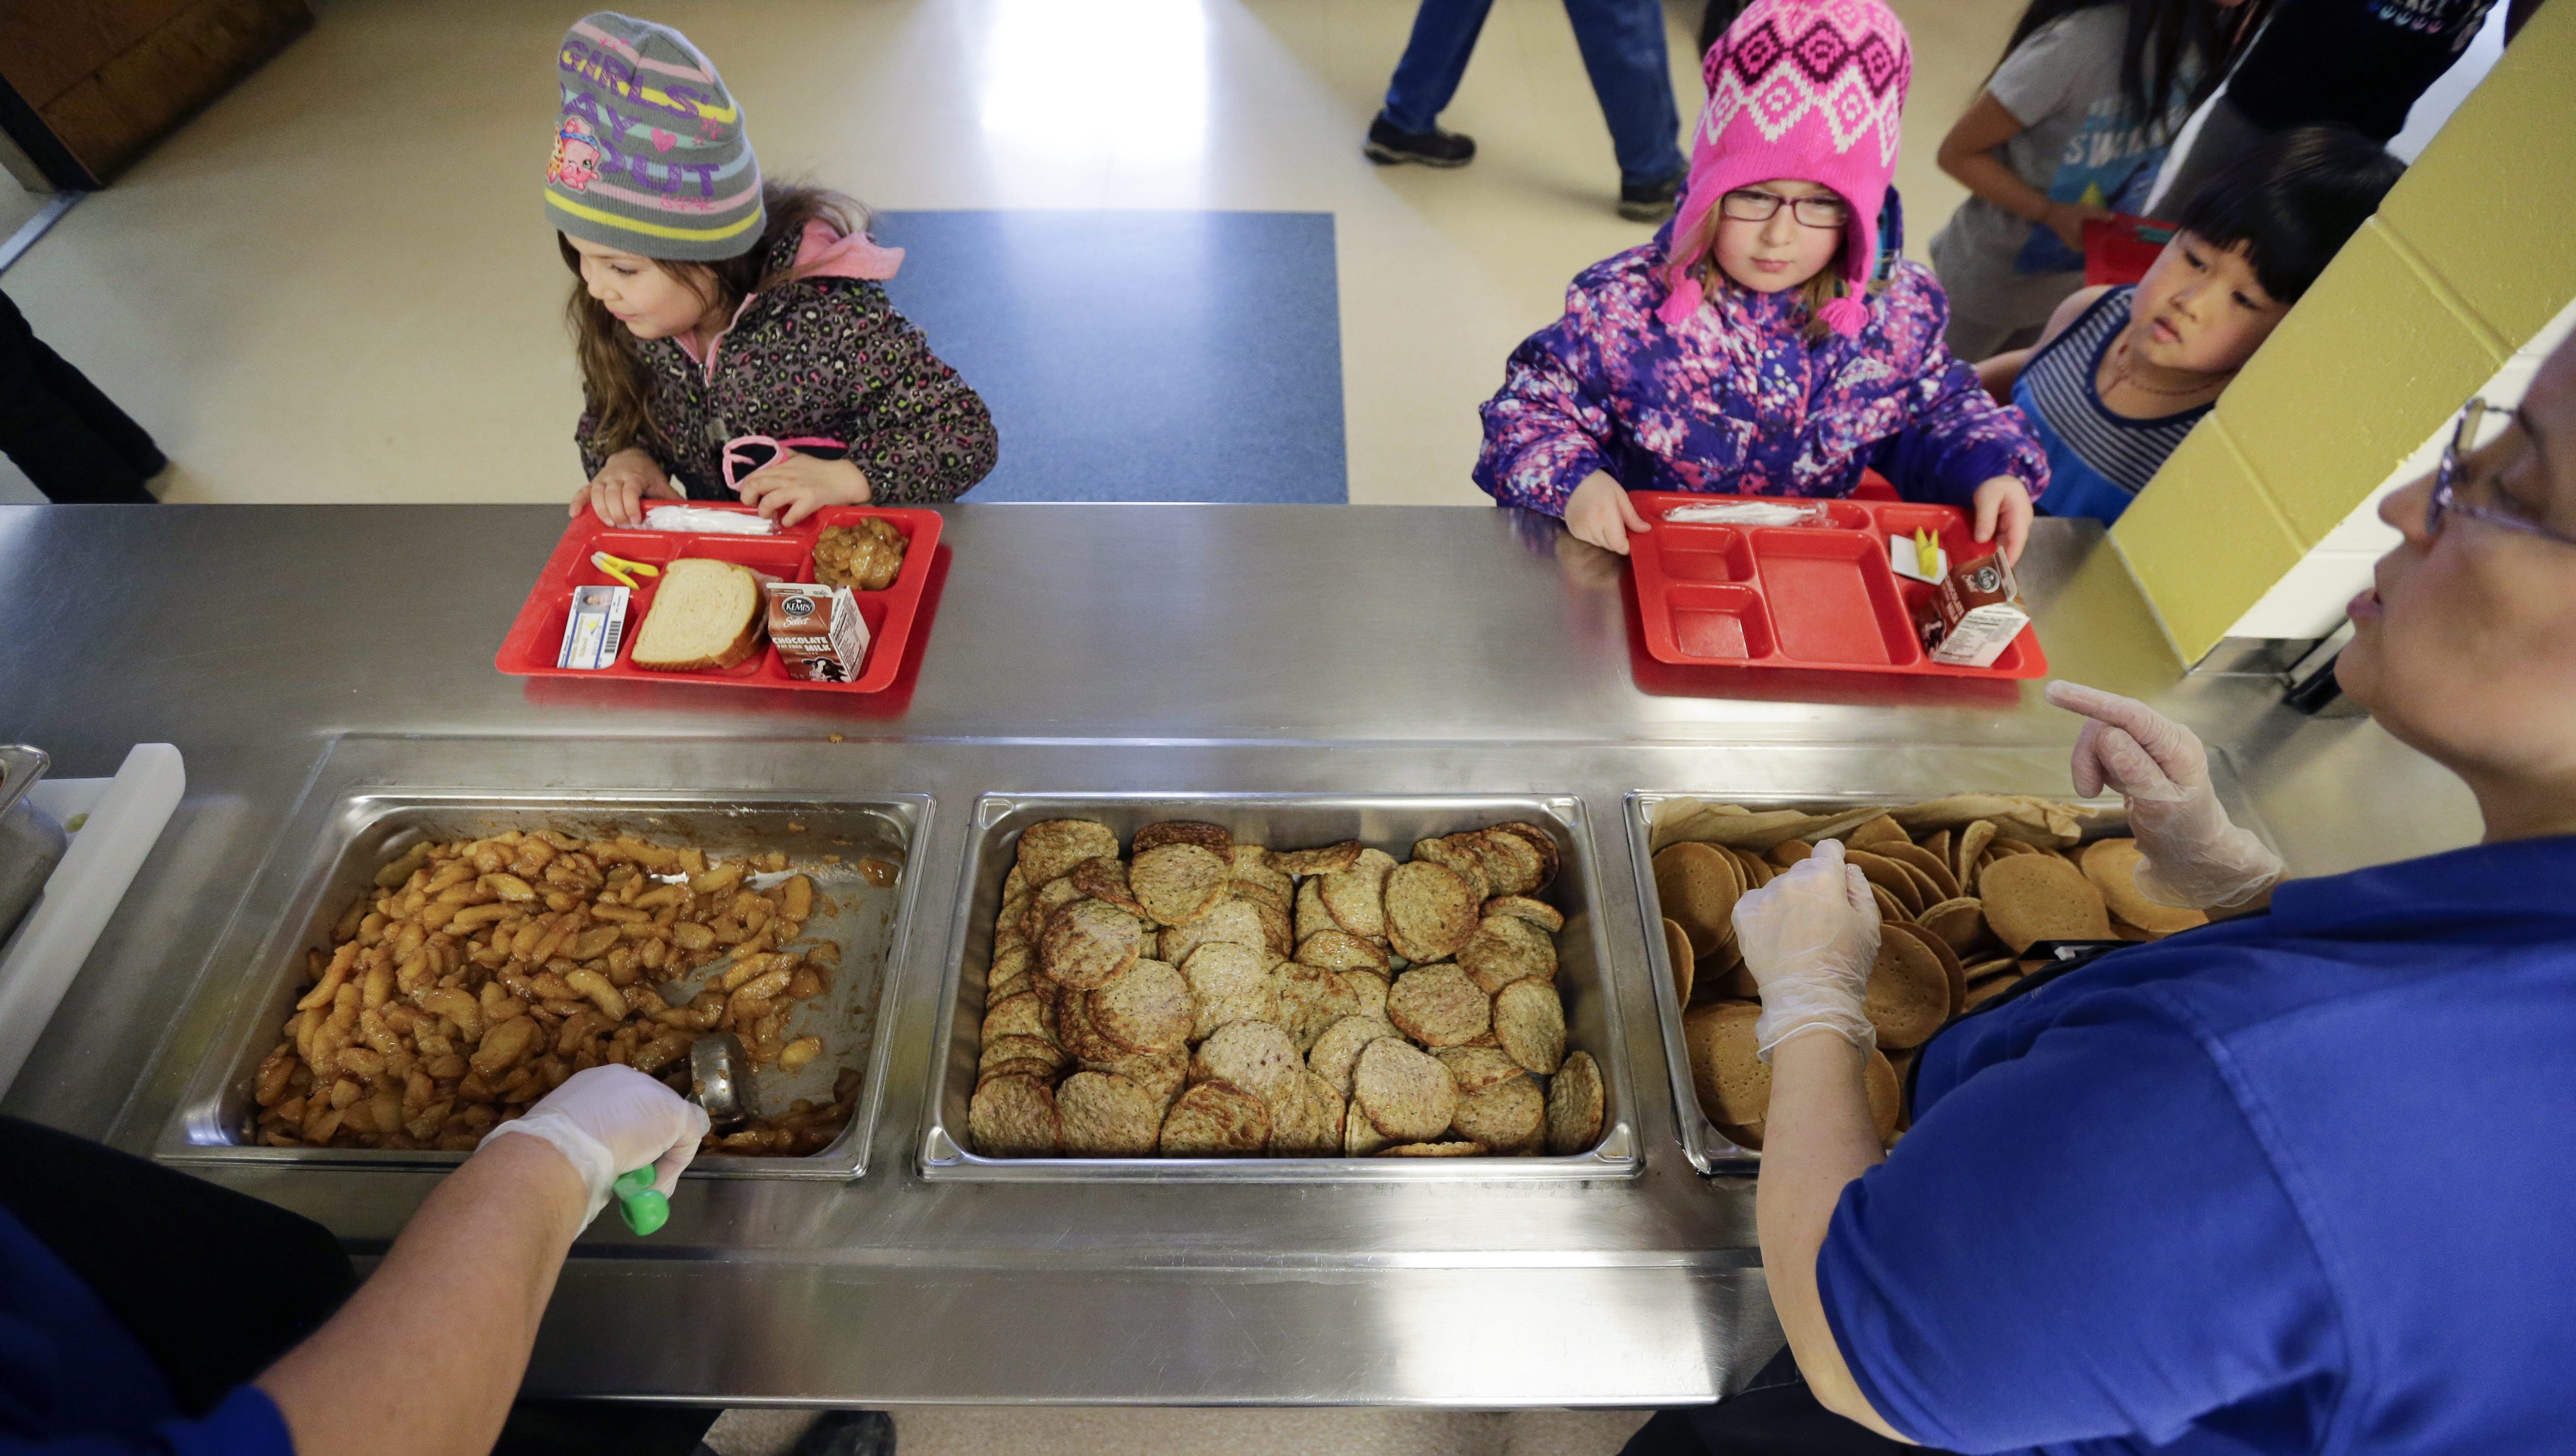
(336, 285)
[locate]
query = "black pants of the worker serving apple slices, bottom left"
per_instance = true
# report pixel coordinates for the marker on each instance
(215, 1285)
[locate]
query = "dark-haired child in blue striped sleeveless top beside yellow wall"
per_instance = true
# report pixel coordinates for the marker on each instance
(2124, 372)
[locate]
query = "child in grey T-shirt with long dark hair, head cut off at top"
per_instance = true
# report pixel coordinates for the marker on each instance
(2070, 128)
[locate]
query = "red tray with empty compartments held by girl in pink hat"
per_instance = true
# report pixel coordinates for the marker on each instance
(1848, 586)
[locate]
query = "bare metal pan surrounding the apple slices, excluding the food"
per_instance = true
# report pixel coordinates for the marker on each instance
(370, 829)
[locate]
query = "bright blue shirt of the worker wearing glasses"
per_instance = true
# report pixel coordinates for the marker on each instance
(2299, 1182)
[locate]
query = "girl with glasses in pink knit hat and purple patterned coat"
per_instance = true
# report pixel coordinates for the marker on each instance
(1758, 347)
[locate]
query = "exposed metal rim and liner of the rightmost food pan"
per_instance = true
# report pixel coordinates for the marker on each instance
(1923, 774)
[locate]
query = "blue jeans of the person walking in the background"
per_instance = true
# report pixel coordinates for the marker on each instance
(1624, 53)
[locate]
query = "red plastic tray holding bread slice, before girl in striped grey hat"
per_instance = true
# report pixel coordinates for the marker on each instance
(537, 638)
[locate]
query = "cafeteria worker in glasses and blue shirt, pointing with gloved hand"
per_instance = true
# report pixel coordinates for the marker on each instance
(2294, 1182)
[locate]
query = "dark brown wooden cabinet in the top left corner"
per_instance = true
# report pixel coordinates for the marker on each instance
(94, 84)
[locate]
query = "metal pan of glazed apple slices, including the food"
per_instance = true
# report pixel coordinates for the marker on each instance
(450, 957)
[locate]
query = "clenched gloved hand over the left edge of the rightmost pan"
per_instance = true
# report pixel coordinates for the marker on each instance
(1810, 942)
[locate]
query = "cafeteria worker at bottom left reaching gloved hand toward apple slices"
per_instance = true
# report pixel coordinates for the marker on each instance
(115, 1346)
